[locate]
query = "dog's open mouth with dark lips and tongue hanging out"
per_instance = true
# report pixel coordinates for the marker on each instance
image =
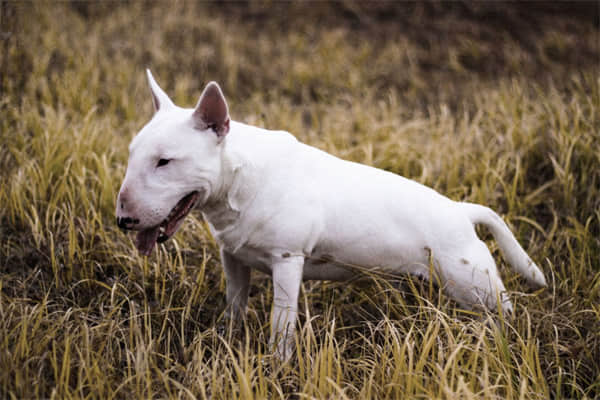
(158, 234)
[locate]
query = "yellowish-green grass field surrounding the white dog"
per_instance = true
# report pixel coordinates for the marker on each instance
(494, 103)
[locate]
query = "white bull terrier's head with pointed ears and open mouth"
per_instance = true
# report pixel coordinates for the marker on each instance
(174, 164)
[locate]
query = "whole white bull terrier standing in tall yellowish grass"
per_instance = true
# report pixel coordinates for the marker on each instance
(296, 212)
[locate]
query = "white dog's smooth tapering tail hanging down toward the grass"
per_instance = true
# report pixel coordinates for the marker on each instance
(511, 249)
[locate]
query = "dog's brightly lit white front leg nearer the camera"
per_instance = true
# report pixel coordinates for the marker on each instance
(287, 276)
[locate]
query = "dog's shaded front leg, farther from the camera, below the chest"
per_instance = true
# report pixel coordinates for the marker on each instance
(237, 277)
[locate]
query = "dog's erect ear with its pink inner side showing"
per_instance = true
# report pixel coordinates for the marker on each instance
(211, 111)
